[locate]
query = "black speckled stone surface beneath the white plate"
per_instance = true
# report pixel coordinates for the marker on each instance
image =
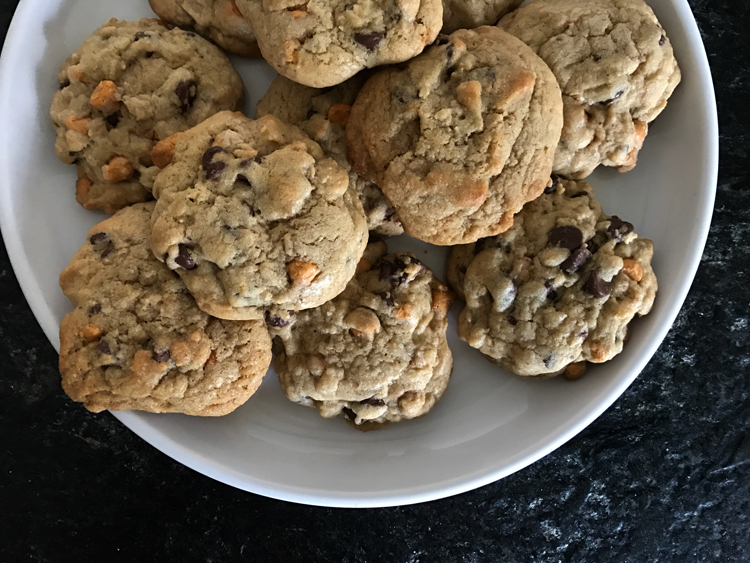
(663, 475)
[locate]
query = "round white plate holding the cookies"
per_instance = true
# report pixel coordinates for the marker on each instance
(489, 424)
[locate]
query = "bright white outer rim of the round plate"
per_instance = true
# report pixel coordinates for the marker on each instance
(184, 455)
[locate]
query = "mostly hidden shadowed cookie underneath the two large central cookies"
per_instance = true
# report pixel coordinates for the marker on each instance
(323, 114)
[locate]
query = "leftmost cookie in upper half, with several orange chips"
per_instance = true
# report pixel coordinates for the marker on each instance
(129, 86)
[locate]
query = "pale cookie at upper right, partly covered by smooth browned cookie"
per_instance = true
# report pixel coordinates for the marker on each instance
(616, 69)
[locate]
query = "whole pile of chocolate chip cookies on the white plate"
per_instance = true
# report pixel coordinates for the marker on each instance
(476, 140)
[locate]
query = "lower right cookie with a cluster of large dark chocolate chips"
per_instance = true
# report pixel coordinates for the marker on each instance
(559, 287)
